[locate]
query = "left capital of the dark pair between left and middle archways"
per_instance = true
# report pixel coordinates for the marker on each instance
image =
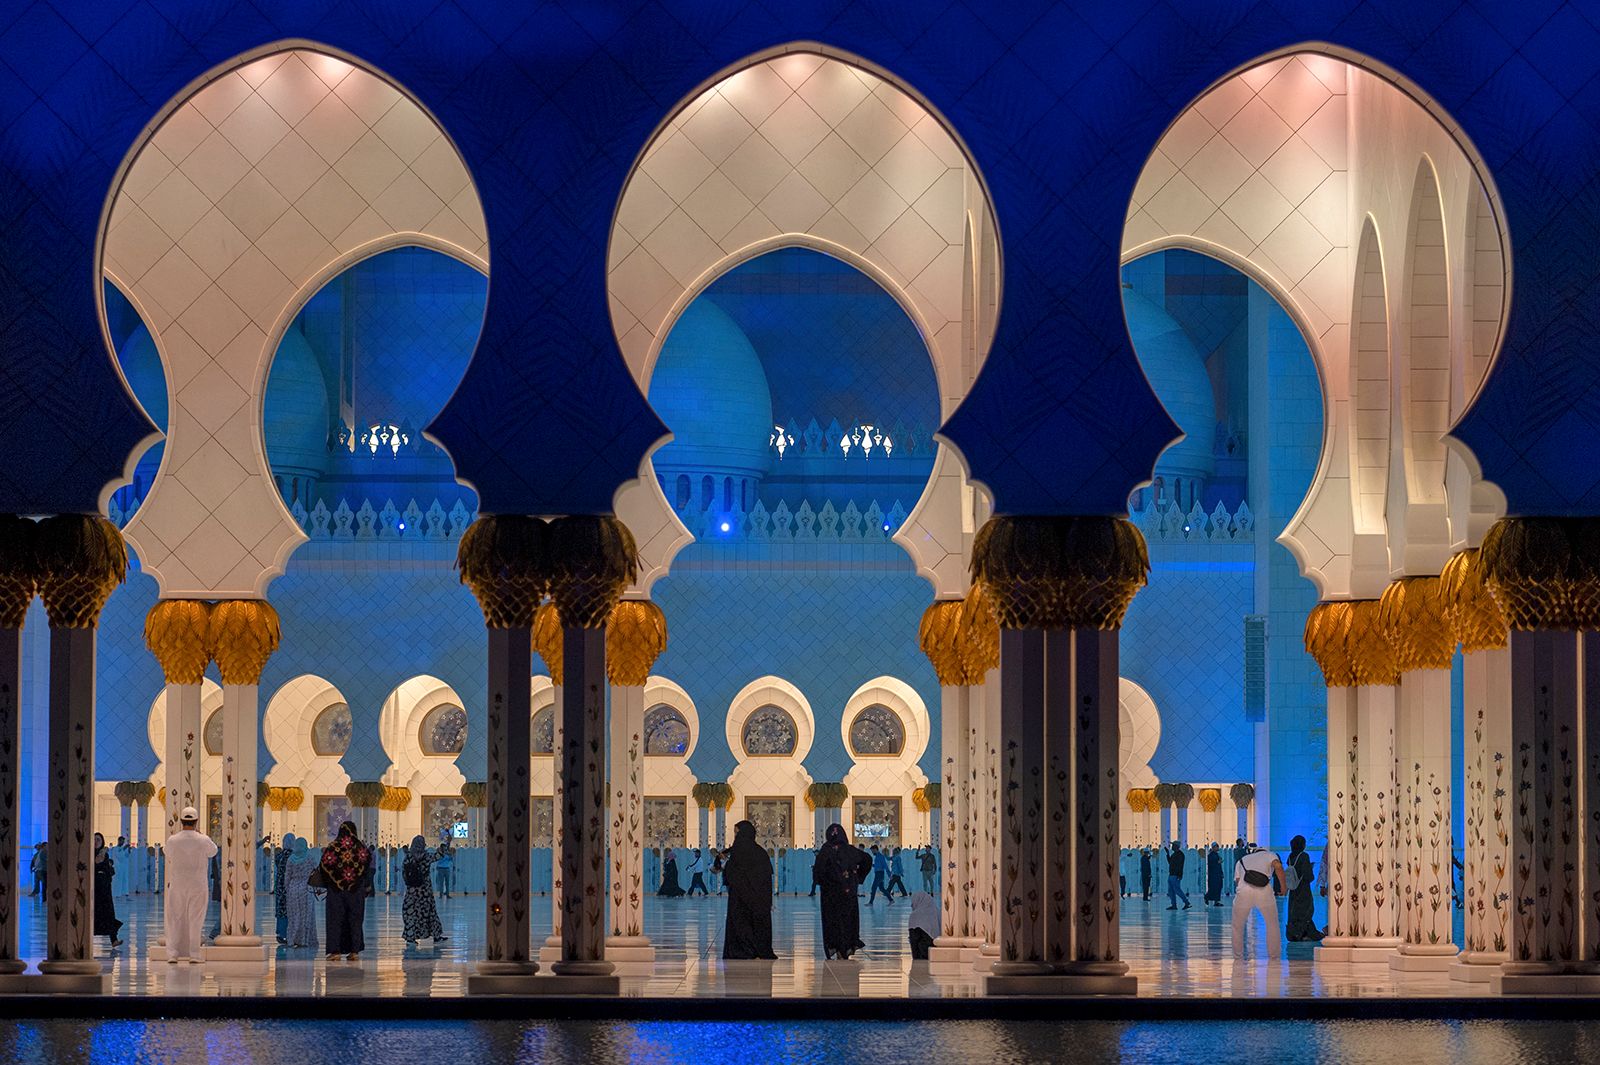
(506, 560)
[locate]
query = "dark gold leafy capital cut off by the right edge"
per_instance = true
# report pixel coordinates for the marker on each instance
(1545, 573)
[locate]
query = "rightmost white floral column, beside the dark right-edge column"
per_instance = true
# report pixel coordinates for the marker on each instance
(1486, 876)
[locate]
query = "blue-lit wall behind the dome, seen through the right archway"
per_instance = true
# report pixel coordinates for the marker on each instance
(1185, 636)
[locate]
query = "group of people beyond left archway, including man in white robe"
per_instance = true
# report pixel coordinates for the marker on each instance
(342, 877)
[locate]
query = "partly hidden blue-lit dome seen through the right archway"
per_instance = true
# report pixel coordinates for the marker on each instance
(1177, 373)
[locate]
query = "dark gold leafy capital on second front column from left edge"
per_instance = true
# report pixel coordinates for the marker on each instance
(82, 559)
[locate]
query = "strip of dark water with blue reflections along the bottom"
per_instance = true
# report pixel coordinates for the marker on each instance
(873, 1043)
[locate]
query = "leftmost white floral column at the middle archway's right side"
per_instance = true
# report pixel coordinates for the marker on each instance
(956, 923)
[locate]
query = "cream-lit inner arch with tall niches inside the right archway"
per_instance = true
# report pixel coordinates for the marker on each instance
(1282, 166)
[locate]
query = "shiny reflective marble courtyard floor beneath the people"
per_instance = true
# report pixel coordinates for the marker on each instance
(1174, 954)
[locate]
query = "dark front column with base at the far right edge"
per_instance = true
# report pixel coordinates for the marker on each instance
(1546, 829)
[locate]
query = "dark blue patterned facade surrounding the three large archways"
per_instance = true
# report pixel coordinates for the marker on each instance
(1060, 106)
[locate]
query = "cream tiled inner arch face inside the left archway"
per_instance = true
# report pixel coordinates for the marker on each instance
(254, 186)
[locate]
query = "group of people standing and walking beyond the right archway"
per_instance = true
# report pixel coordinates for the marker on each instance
(1258, 880)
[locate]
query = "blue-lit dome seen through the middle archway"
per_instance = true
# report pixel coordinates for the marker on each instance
(713, 394)
